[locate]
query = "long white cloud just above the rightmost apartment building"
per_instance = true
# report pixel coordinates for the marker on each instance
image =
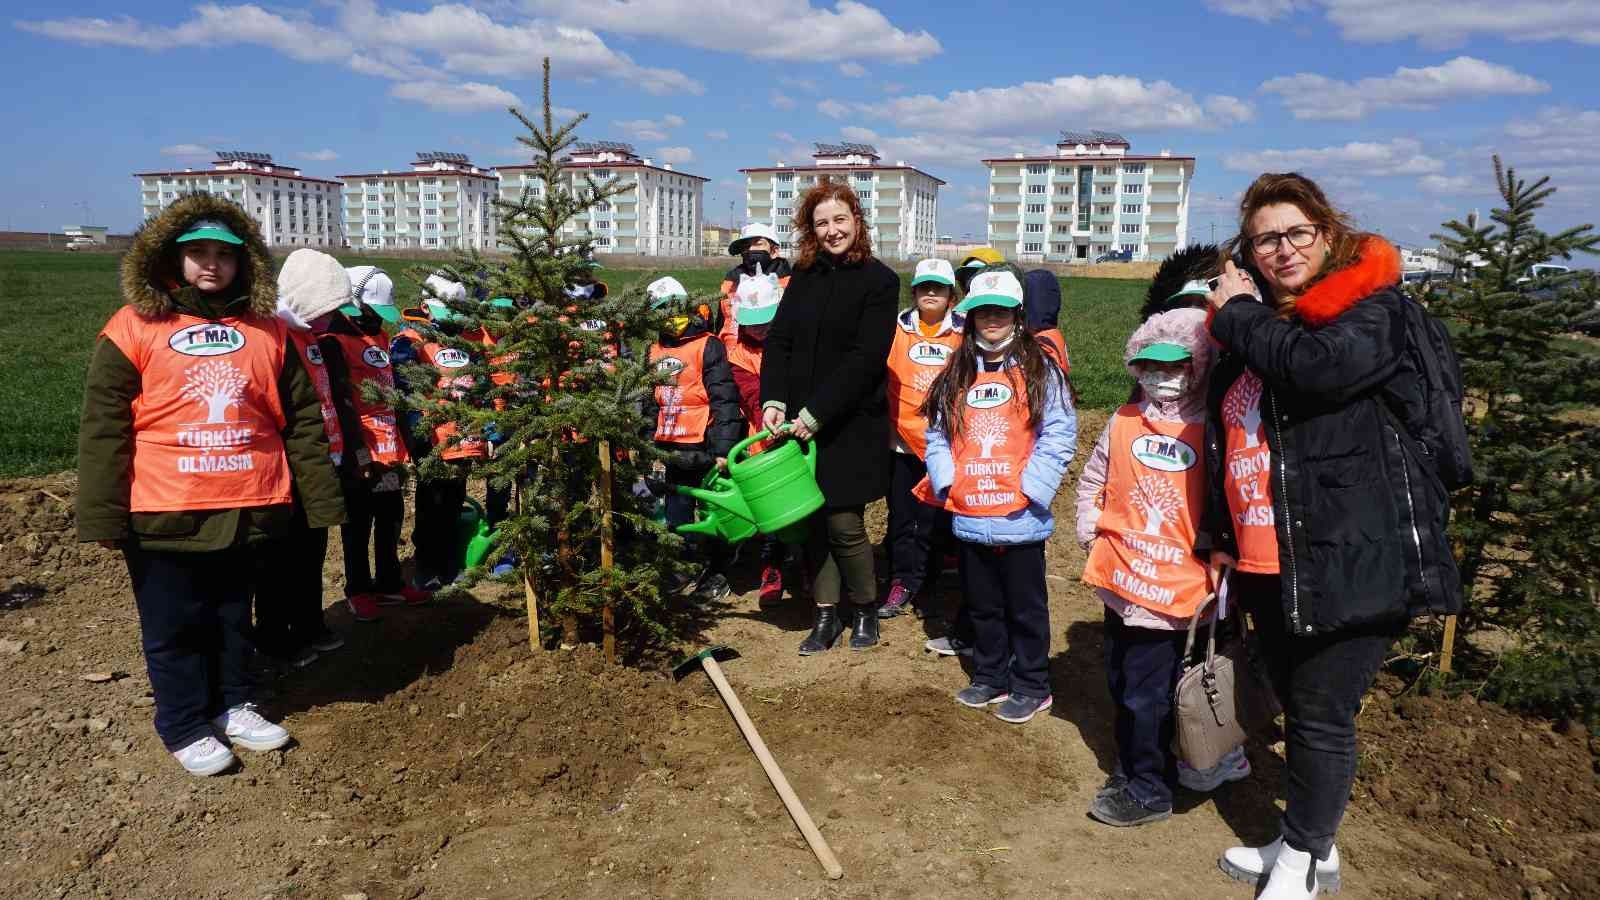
(1111, 102)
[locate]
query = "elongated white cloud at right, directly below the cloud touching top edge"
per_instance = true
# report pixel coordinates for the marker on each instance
(1321, 98)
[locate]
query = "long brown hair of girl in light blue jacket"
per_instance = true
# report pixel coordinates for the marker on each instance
(1025, 360)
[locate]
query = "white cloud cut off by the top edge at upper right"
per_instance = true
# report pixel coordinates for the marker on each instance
(1438, 23)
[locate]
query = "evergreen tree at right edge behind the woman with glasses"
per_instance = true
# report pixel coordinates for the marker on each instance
(1527, 531)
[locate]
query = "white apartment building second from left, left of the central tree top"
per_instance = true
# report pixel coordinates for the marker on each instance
(444, 203)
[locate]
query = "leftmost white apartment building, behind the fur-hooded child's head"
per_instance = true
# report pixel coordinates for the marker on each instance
(292, 209)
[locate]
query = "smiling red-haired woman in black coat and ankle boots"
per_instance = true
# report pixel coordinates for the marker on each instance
(823, 372)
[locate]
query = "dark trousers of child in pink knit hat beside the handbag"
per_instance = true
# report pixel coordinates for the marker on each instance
(1142, 672)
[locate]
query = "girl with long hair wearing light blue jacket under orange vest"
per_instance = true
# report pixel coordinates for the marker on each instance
(1001, 436)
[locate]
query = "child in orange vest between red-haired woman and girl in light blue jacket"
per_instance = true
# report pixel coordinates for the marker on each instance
(926, 337)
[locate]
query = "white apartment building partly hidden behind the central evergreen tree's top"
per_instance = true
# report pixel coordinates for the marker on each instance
(658, 214)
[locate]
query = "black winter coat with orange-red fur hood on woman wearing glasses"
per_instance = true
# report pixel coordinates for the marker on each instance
(1361, 518)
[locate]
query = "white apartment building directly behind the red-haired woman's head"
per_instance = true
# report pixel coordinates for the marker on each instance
(902, 203)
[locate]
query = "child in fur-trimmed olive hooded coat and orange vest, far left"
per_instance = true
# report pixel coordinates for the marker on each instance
(198, 420)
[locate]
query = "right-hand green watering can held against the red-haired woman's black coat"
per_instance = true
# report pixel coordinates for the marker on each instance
(778, 484)
